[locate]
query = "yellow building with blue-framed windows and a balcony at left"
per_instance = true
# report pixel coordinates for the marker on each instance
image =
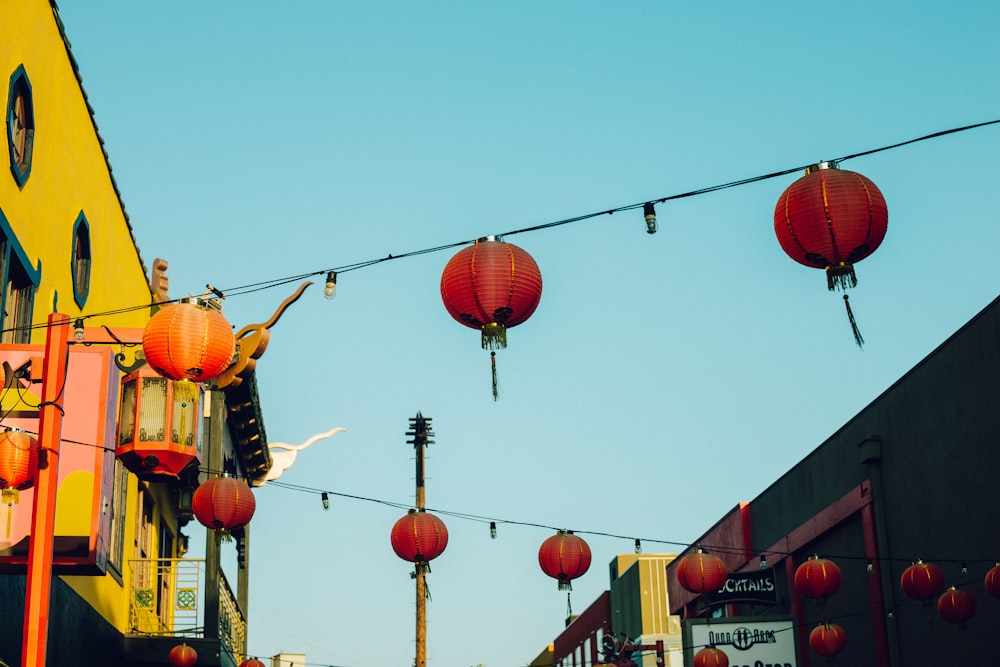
(123, 595)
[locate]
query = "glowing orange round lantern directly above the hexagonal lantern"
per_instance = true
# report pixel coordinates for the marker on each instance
(190, 340)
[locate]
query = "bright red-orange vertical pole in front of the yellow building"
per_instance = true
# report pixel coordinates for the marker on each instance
(43, 511)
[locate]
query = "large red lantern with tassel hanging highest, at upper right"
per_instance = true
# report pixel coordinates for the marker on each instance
(831, 219)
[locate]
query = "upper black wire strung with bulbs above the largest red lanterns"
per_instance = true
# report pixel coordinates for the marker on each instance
(277, 282)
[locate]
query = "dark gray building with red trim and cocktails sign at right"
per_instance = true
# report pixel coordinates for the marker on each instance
(912, 476)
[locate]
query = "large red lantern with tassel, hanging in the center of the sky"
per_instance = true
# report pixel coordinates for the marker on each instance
(491, 286)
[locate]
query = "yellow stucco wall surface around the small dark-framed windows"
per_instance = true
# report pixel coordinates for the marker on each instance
(69, 174)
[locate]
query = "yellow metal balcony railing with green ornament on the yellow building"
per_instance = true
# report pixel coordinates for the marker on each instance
(166, 597)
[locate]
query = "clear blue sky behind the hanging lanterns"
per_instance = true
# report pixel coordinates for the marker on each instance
(662, 379)
